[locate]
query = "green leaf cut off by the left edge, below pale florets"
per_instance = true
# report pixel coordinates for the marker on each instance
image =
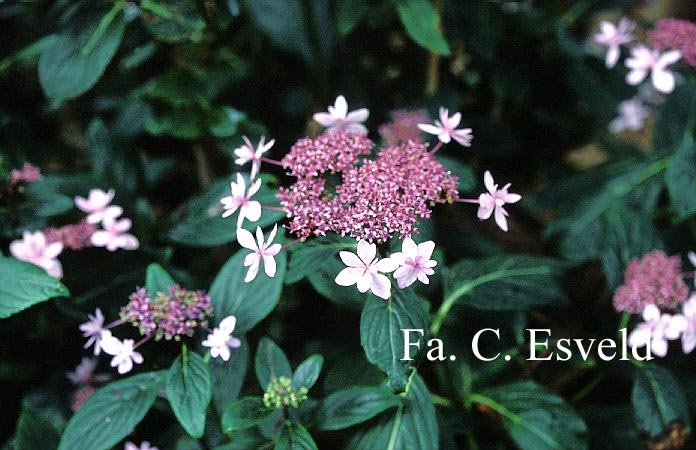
(23, 285)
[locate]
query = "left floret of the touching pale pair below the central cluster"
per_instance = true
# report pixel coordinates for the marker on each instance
(364, 270)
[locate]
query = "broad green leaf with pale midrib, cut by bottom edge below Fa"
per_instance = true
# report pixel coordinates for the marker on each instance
(412, 425)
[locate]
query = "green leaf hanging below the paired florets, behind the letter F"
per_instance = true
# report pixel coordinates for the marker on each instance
(381, 336)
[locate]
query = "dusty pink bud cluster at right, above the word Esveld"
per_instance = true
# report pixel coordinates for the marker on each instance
(655, 279)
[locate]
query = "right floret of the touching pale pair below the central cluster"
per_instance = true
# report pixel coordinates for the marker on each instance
(414, 262)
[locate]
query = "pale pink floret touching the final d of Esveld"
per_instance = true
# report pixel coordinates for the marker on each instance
(657, 329)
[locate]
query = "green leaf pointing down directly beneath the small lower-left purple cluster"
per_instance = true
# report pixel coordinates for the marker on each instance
(188, 389)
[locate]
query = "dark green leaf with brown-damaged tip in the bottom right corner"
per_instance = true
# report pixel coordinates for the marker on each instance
(658, 400)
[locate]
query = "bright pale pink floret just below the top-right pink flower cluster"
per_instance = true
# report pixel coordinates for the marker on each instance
(644, 60)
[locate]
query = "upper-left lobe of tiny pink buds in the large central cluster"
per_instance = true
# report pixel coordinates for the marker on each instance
(329, 152)
